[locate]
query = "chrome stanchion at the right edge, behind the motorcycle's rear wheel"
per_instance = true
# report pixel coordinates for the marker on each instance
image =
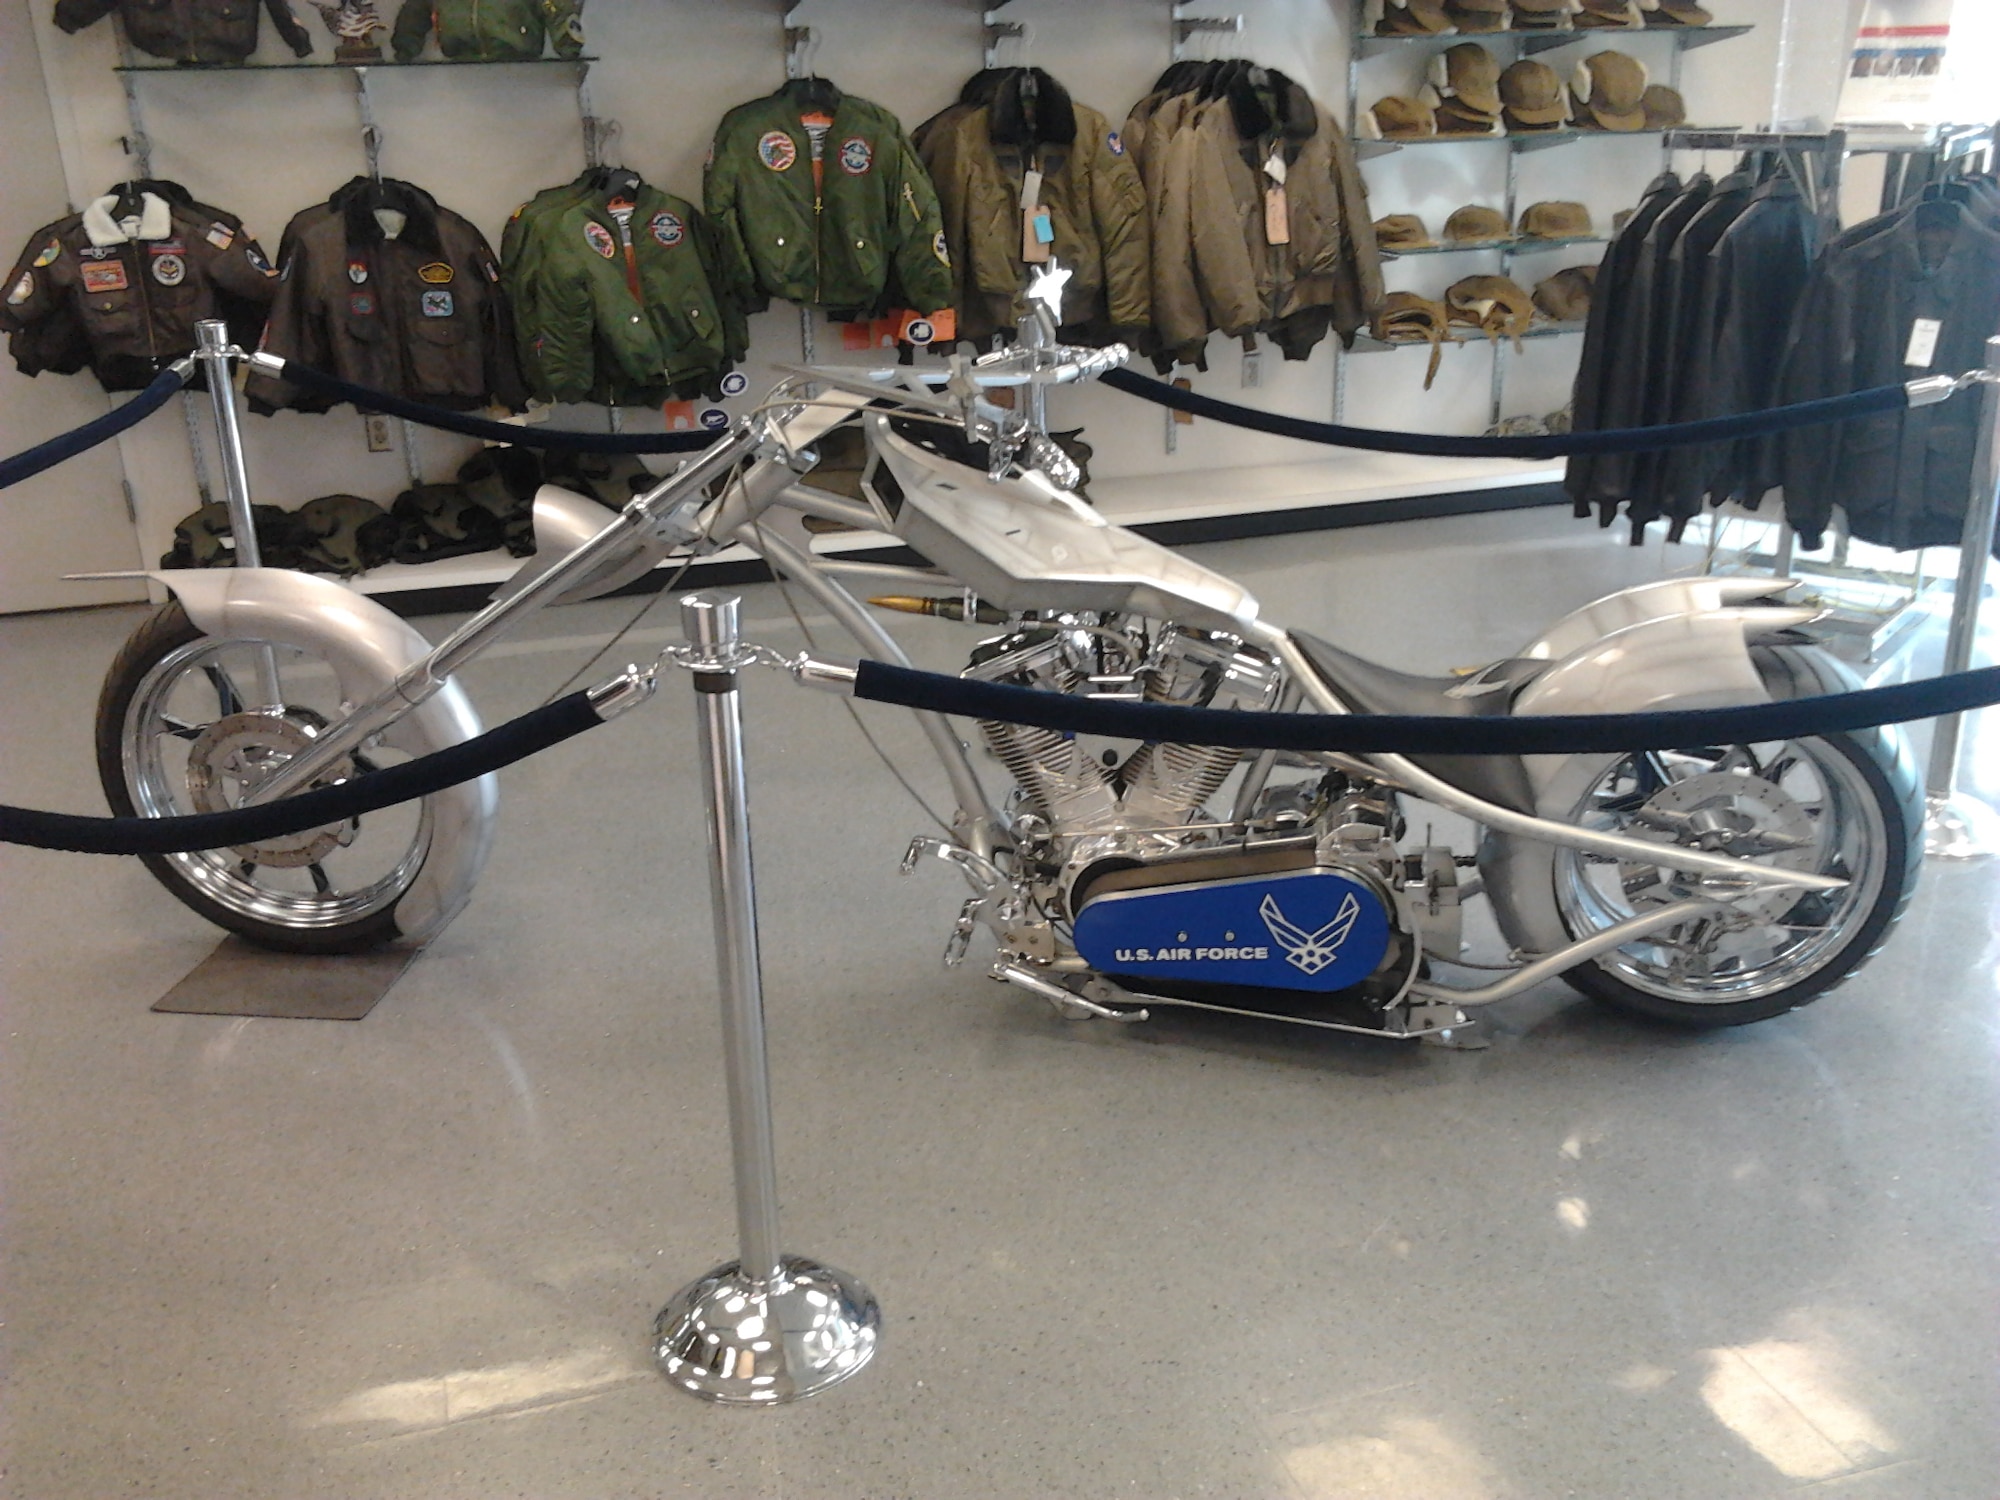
(1959, 827)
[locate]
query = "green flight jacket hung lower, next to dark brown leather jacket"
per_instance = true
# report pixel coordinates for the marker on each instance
(617, 307)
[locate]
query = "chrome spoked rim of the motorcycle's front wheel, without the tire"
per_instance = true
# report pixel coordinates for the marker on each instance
(203, 697)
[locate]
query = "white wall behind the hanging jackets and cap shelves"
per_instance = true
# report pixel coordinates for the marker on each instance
(485, 139)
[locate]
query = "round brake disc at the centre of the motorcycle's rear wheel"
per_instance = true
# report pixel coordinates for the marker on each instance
(1725, 813)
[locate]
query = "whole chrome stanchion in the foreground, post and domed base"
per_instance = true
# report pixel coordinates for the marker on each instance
(767, 1327)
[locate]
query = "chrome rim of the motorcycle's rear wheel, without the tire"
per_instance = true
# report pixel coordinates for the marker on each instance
(1797, 805)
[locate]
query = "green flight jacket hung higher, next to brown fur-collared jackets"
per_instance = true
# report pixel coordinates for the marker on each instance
(863, 237)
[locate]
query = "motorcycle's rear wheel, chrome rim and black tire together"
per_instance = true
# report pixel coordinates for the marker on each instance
(1839, 805)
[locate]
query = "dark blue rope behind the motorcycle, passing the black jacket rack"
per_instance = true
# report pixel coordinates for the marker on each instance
(1559, 445)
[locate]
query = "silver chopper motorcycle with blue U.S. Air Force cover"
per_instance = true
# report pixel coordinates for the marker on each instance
(1707, 887)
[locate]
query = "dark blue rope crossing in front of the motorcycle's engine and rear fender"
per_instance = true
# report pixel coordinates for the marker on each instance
(1431, 735)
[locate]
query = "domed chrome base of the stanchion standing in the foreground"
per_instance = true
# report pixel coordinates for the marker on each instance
(747, 1343)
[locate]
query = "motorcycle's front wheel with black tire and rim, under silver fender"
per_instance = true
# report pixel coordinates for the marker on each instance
(183, 729)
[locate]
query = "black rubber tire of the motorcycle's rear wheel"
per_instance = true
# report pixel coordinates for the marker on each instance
(1885, 773)
